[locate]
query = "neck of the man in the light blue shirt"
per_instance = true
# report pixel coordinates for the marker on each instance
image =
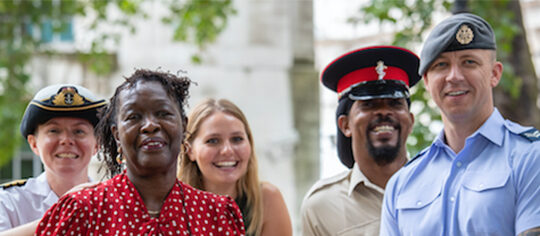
(457, 130)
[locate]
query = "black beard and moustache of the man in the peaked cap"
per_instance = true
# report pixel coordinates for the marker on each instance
(386, 154)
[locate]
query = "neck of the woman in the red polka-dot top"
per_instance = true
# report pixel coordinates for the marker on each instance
(153, 189)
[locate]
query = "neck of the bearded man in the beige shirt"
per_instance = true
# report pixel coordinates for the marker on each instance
(379, 175)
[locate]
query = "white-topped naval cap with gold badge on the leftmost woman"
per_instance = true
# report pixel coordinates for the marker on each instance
(60, 100)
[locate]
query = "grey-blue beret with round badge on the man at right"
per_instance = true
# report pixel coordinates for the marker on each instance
(458, 32)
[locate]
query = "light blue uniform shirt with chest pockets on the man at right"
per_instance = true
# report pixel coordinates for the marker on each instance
(491, 187)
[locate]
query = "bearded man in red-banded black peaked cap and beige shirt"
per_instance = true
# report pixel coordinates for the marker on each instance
(374, 121)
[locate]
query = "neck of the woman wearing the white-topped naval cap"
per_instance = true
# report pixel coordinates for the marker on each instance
(61, 184)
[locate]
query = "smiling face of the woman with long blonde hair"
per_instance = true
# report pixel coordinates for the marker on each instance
(221, 149)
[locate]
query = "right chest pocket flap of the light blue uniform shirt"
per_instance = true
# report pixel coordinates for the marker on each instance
(480, 181)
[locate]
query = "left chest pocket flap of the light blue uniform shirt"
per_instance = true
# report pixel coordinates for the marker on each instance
(418, 198)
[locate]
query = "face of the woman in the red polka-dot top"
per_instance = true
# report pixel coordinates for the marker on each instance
(149, 129)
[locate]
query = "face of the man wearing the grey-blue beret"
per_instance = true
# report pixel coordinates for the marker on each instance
(461, 83)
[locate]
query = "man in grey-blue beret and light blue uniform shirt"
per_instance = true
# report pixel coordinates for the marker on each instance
(481, 175)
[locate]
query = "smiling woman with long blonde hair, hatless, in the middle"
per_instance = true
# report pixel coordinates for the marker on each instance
(220, 158)
